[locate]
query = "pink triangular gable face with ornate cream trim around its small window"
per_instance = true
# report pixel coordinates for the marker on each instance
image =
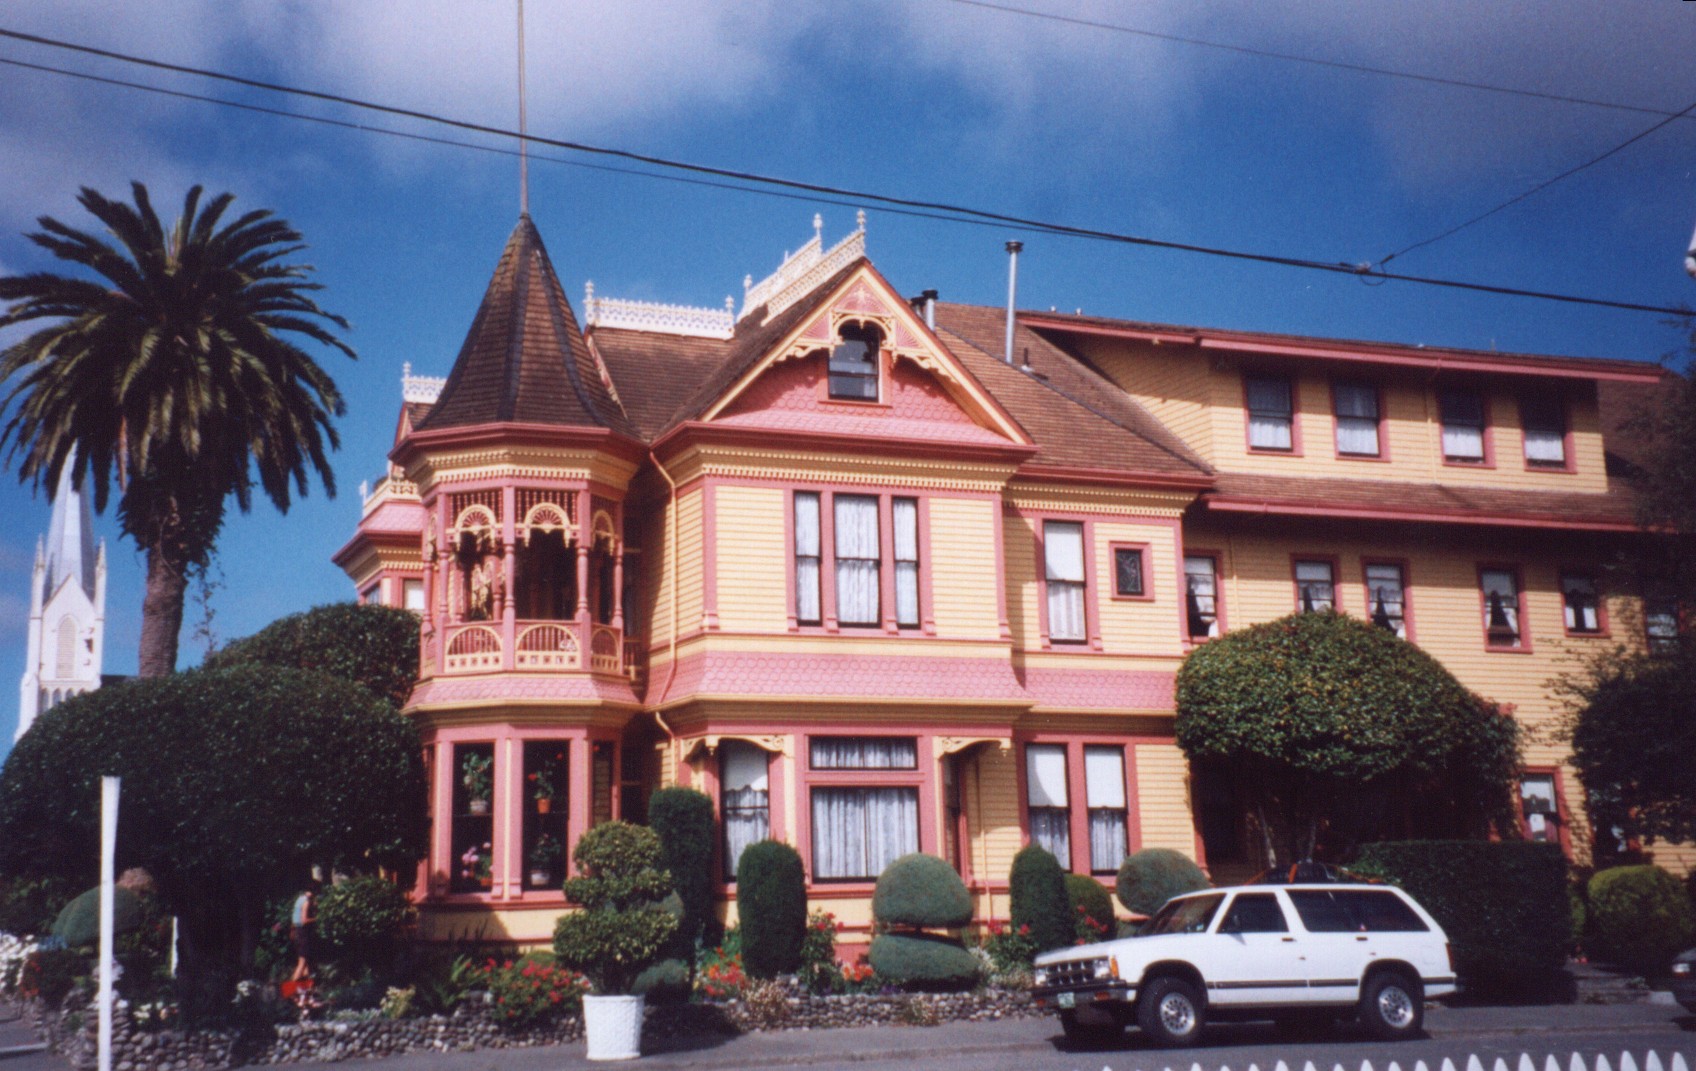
(923, 391)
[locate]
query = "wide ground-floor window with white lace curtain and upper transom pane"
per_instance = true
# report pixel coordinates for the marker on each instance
(859, 831)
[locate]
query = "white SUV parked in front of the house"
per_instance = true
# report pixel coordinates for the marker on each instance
(1288, 953)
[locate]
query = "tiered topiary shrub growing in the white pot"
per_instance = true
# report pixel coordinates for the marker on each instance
(623, 926)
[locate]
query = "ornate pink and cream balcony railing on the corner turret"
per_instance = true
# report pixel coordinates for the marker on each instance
(538, 648)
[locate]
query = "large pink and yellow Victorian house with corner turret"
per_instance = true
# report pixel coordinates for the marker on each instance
(839, 563)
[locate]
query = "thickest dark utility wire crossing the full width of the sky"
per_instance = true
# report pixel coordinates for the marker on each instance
(862, 196)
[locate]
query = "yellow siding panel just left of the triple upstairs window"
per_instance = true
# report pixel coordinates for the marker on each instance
(752, 558)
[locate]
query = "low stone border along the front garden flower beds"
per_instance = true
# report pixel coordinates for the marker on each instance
(72, 1031)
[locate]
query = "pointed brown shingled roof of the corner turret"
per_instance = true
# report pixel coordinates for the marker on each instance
(525, 359)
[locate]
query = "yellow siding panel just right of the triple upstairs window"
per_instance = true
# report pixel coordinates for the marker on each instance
(962, 537)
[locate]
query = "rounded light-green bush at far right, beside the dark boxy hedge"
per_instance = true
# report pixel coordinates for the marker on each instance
(1641, 917)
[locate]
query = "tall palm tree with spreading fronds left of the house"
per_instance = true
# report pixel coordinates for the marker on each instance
(176, 374)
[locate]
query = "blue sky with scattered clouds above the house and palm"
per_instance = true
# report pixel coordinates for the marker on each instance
(927, 99)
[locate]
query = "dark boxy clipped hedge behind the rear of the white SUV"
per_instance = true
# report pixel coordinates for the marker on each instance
(1504, 906)
